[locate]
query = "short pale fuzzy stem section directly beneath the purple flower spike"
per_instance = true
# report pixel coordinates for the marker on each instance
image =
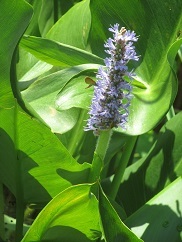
(103, 143)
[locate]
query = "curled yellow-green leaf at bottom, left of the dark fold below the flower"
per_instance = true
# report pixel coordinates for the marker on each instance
(71, 216)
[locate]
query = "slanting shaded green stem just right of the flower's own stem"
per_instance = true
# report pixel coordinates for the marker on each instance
(122, 166)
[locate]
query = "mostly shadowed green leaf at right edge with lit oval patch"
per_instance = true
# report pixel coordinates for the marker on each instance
(158, 168)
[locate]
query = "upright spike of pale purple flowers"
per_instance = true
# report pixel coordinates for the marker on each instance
(112, 94)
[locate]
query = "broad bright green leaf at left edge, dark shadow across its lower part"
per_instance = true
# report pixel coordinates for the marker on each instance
(33, 160)
